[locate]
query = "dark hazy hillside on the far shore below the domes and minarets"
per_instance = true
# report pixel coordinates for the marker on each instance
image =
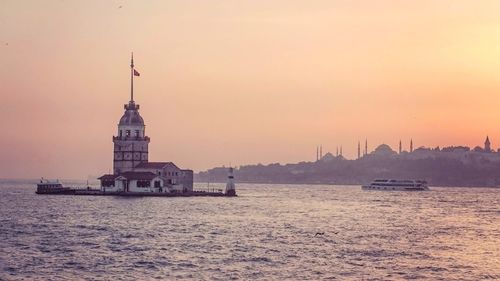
(439, 167)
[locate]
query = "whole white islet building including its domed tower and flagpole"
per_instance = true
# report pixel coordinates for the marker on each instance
(132, 172)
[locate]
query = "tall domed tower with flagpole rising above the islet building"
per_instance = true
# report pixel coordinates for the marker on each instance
(131, 144)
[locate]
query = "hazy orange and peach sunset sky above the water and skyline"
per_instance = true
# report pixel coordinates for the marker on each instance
(242, 82)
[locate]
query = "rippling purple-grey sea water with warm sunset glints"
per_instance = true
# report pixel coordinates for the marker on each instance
(268, 232)
